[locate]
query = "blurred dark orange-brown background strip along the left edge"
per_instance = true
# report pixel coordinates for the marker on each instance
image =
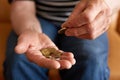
(4, 31)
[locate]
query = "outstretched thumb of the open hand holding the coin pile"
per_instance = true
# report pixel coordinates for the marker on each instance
(21, 46)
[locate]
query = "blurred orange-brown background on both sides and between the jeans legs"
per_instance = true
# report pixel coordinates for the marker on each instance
(113, 35)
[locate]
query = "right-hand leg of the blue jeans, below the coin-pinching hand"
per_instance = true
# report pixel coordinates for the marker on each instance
(91, 58)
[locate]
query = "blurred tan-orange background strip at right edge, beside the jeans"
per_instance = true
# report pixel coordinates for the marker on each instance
(114, 51)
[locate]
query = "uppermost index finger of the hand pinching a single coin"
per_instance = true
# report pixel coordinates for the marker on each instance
(87, 16)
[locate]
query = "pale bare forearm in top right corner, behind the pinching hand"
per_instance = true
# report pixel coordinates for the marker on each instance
(114, 5)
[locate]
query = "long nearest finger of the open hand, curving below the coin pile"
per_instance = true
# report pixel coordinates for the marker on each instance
(37, 57)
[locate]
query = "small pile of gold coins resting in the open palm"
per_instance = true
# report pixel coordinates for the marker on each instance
(51, 53)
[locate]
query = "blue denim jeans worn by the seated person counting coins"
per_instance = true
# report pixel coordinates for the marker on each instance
(91, 58)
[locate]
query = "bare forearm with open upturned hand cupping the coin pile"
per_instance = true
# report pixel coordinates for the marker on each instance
(31, 39)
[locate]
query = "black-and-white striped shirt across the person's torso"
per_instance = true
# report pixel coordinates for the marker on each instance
(56, 11)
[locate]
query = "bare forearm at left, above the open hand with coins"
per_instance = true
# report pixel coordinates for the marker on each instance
(23, 16)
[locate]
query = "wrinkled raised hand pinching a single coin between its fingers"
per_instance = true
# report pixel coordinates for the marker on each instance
(89, 19)
